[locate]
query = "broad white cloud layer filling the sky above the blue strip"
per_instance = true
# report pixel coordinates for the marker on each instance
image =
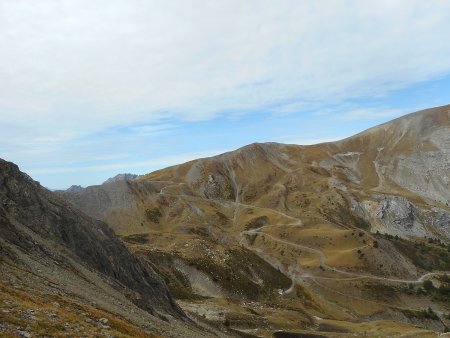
(72, 68)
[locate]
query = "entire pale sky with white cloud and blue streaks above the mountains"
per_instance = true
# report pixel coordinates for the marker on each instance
(93, 88)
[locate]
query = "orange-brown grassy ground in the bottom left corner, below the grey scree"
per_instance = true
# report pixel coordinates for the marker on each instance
(22, 312)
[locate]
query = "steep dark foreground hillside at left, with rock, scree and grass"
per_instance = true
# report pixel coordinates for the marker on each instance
(63, 273)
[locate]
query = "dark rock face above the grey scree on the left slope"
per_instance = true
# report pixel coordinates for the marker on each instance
(41, 223)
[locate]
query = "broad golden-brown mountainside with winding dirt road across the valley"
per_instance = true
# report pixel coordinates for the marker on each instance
(326, 234)
